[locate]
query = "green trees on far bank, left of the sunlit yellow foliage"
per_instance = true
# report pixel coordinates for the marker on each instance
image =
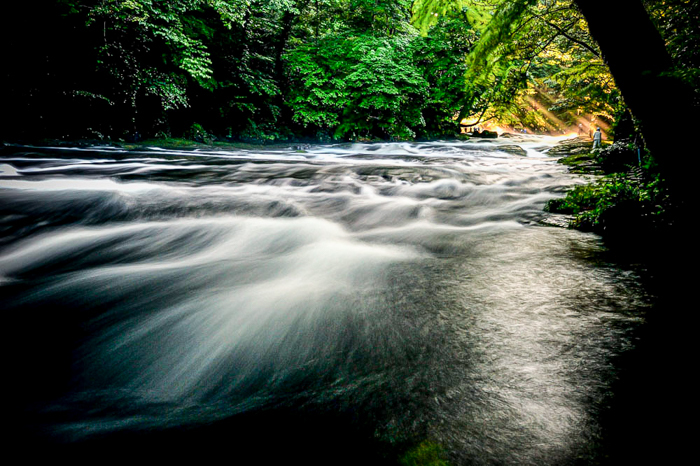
(259, 69)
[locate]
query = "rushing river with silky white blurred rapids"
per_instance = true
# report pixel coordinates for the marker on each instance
(333, 303)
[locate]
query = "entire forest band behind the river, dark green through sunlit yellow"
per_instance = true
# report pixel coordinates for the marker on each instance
(323, 69)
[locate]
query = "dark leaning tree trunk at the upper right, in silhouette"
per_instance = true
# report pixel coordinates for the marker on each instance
(639, 62)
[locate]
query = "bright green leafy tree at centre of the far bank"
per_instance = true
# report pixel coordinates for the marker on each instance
(367, 77)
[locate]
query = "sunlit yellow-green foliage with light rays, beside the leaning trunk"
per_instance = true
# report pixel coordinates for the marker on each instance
(534, 64)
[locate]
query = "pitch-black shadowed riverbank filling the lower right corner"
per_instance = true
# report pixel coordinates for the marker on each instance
(650, 417)
